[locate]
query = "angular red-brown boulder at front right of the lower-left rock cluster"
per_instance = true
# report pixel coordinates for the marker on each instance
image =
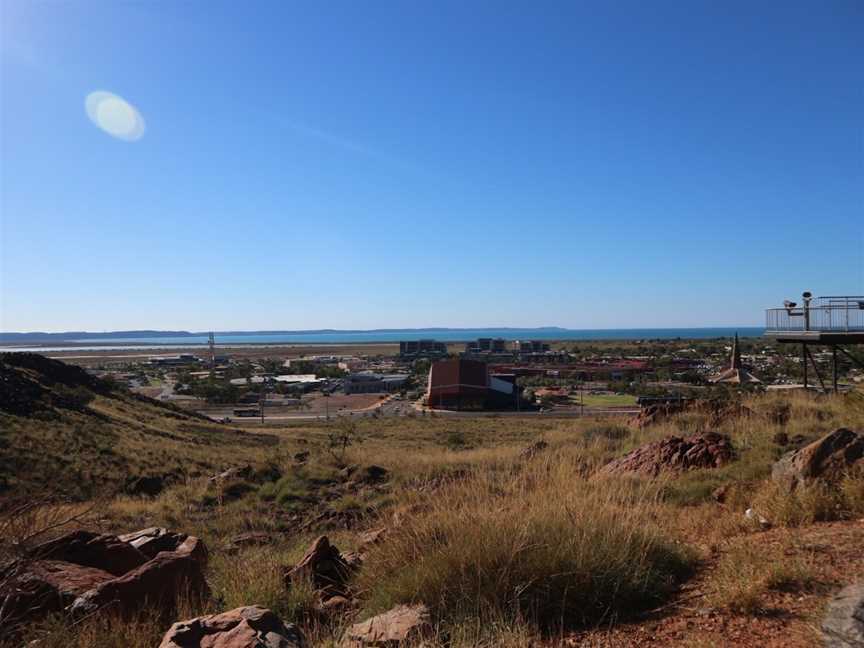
(158, 583)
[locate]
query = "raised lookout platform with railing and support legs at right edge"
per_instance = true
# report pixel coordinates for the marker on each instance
(823, 321)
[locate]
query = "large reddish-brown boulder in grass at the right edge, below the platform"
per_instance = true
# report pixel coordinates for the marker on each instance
(828, 459)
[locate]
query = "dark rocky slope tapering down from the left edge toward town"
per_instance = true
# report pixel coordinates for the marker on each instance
(65, 433)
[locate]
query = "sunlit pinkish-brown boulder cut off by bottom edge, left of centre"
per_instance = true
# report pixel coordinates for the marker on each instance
(245, 627)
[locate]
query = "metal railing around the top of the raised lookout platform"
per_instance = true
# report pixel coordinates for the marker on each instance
(823, 314)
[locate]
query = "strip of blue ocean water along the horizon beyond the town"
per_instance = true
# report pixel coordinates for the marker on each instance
(396, 335)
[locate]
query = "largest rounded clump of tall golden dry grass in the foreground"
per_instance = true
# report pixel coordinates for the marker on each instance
(540, 543)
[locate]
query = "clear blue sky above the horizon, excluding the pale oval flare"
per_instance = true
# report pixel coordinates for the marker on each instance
(399, 164)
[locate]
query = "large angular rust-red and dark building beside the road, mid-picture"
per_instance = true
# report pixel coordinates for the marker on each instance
(464, 384)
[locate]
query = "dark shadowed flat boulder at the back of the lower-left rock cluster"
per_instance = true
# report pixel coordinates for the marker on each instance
(101, 551)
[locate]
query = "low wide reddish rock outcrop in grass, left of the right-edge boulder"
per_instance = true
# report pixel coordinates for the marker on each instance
(674, 455)
